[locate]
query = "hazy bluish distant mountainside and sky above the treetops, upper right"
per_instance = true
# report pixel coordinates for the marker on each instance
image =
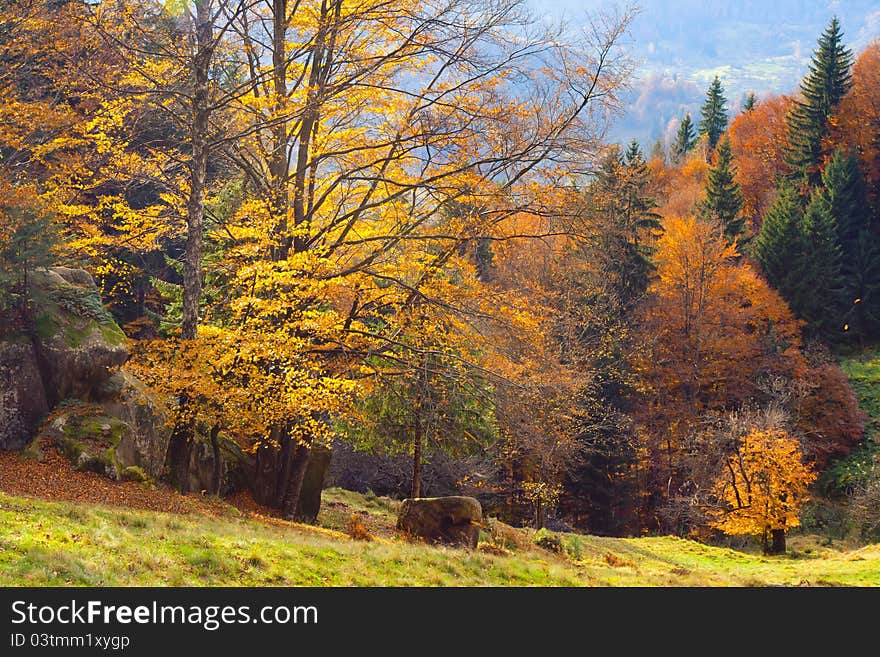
(752, 45)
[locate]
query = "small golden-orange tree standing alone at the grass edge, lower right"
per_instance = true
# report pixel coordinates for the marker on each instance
(762, 488)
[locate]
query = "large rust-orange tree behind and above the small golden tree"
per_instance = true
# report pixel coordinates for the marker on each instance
(712, 330)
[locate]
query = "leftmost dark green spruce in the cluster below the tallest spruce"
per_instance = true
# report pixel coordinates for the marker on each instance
(780, 246)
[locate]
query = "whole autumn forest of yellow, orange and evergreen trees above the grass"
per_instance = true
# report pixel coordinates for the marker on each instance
(390, 243)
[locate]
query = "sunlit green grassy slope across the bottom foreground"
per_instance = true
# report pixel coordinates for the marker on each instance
(50, 543)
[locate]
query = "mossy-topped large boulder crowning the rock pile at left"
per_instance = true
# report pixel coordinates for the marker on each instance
(78, 343)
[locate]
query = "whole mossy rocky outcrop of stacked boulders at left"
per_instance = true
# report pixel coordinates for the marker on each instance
(104, 419)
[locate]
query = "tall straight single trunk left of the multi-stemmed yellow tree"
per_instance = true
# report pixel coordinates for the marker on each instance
(192, 261)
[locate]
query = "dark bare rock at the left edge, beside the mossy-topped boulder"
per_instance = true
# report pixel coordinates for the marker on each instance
(22, 397)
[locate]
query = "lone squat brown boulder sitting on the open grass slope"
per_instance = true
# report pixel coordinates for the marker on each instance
(454, 520)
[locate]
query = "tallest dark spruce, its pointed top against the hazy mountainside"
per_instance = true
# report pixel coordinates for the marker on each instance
(826, 83)
